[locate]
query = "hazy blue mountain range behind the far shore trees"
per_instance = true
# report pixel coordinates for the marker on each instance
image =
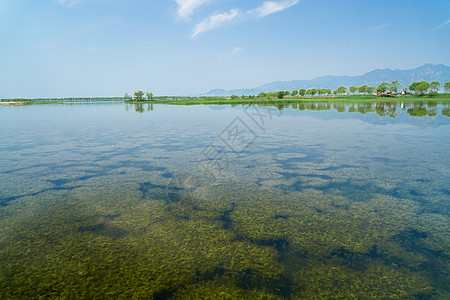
(427, 72)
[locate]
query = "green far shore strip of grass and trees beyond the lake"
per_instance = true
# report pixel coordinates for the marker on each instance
(416, 91)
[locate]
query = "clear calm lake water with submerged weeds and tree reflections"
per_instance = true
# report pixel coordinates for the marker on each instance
(191, 202)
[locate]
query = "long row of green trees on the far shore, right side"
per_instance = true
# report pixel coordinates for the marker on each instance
(394, 87)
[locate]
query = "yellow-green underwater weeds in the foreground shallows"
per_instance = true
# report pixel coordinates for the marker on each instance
(227, 241)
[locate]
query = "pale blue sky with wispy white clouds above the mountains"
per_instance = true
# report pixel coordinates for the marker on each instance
(90, 48)
